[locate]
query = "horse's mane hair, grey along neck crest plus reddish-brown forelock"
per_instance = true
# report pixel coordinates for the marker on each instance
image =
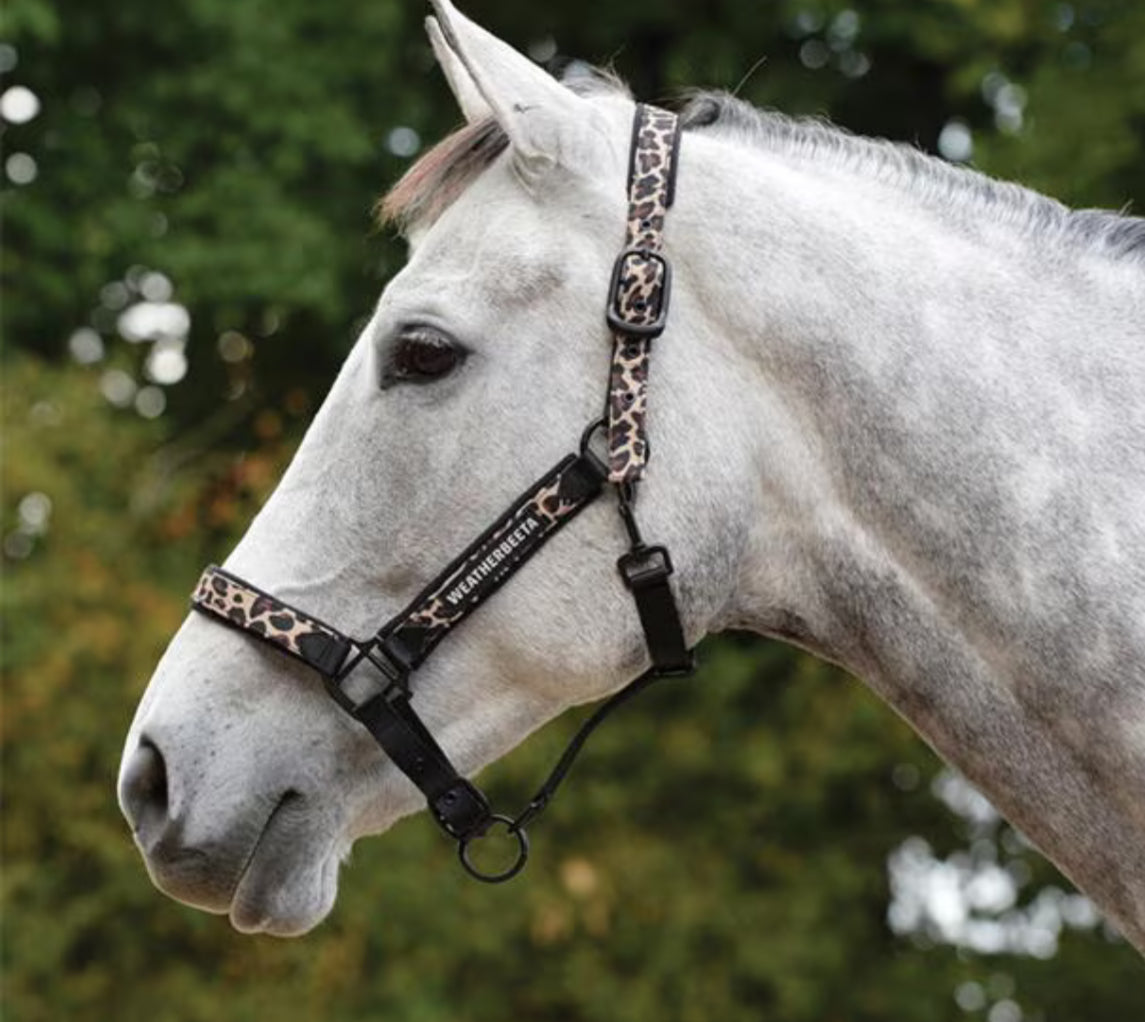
(437, 180)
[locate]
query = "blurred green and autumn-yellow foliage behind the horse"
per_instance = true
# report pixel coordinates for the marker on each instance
(236, 146)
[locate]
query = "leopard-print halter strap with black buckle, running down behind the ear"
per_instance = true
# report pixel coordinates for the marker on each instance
(641, 290)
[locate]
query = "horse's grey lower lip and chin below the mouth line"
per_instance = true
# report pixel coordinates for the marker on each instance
(290, 882)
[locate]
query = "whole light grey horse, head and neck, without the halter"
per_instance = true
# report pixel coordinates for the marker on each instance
(898, 419)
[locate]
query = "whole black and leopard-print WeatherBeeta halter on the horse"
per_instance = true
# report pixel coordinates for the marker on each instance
(370, 679)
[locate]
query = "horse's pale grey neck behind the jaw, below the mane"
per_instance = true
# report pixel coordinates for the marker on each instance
(947, 470)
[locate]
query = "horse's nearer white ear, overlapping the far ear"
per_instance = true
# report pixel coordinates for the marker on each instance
(541, 116)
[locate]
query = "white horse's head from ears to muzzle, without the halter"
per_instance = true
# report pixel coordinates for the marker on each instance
(484, 362)
